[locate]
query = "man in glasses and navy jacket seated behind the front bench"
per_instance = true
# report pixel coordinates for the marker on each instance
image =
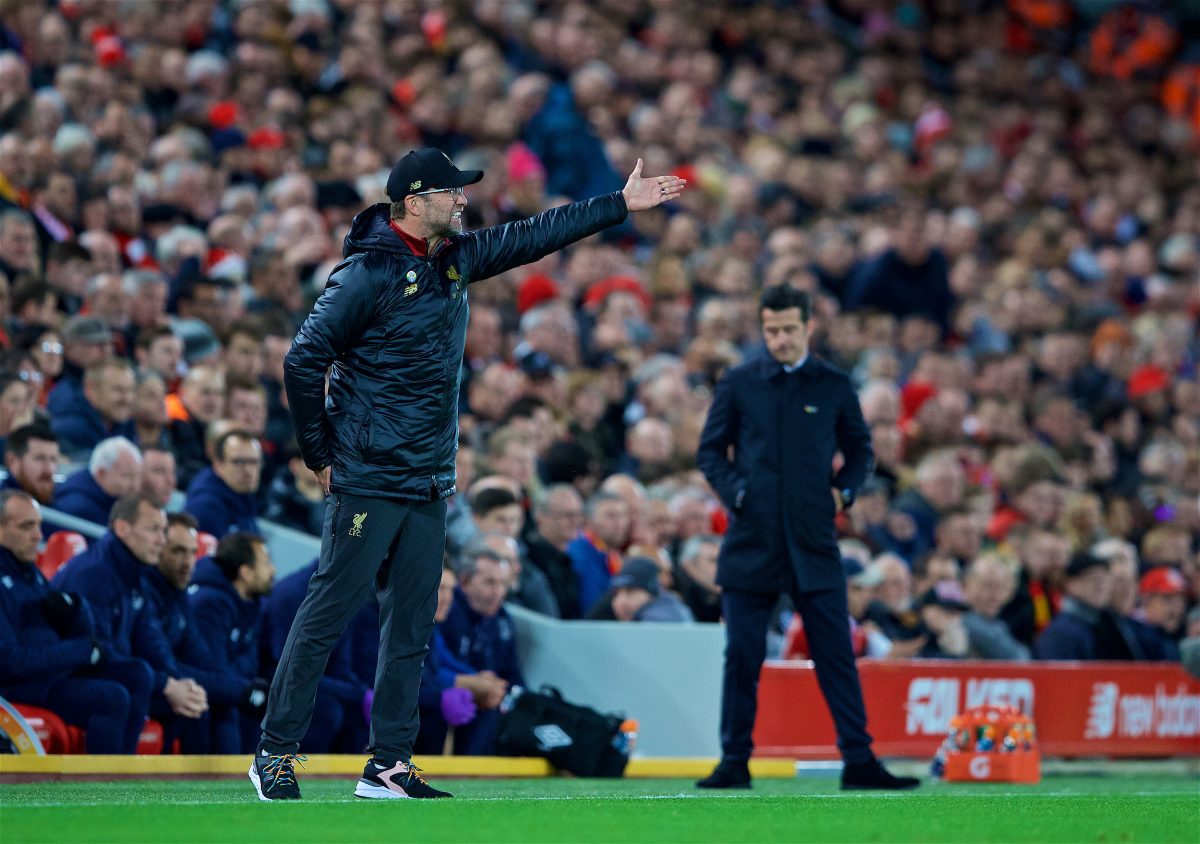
(224, 496)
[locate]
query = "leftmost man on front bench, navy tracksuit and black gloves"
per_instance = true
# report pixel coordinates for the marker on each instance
(49, 654)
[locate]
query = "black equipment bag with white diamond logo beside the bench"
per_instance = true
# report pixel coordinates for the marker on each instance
(575, 739)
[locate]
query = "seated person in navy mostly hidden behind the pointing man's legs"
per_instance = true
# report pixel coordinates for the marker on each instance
(339, 725)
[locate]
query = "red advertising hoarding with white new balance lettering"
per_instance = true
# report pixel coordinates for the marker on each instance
(1081, 709)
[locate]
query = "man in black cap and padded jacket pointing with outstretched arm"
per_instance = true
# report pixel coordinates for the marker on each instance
(391, 330)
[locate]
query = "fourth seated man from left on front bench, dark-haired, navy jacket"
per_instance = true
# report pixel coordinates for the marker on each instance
(226, 597)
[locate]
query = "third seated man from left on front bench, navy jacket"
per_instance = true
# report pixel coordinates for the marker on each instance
(230, 693)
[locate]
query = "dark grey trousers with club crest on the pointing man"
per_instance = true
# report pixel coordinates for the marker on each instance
(394, 547)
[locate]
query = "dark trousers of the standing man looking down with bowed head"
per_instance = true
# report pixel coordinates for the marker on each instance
(827, 627)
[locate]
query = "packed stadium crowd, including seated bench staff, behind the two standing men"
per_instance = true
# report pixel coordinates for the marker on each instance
(995, 205)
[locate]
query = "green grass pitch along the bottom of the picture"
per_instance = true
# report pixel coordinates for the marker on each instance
(1120, 809)
